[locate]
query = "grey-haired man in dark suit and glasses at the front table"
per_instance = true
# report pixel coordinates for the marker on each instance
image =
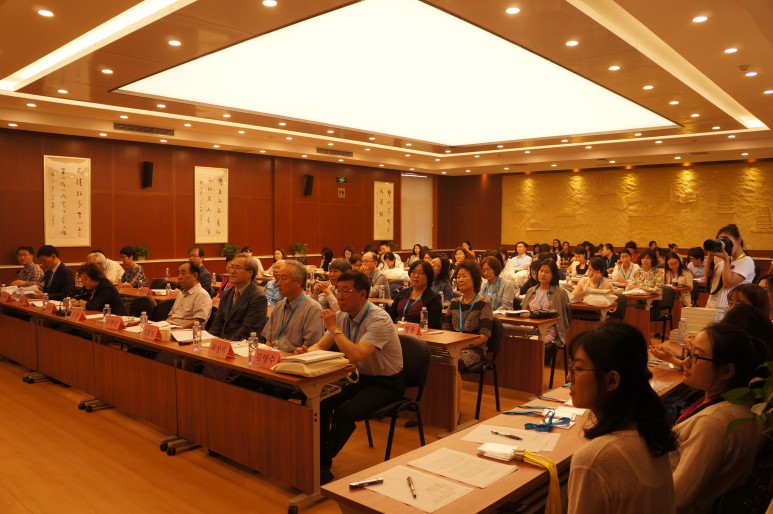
(243, 307)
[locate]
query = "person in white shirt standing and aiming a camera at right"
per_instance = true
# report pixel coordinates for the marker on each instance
(729, 266)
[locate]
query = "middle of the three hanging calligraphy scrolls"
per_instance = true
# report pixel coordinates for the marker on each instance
(211, 204)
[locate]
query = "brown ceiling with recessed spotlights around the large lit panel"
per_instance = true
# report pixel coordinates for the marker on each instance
(654, 43)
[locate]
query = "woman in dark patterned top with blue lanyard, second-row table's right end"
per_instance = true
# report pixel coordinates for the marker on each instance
(470, 313)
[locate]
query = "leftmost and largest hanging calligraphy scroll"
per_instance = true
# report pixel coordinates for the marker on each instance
(67, 200)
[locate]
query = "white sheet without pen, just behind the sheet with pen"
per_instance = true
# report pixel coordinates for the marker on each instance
(462, 467)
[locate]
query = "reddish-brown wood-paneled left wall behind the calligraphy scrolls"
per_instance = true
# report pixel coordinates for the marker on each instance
(267, 207)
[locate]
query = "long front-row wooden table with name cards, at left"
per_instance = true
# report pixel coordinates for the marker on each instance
(220, 416)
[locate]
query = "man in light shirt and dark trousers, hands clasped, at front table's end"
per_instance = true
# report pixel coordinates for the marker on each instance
(367, 336)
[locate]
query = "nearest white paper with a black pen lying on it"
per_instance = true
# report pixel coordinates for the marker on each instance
(432, 493)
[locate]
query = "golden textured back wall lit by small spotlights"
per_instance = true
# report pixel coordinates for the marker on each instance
(682, 205)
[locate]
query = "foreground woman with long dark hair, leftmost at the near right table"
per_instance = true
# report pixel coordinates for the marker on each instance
(624, 467)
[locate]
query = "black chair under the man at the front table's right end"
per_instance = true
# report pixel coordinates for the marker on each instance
(415, 367)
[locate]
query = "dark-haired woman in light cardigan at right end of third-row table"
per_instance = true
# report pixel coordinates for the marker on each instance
(548, 295)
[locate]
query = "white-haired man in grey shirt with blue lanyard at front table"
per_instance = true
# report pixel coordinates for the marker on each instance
(295, 321)
